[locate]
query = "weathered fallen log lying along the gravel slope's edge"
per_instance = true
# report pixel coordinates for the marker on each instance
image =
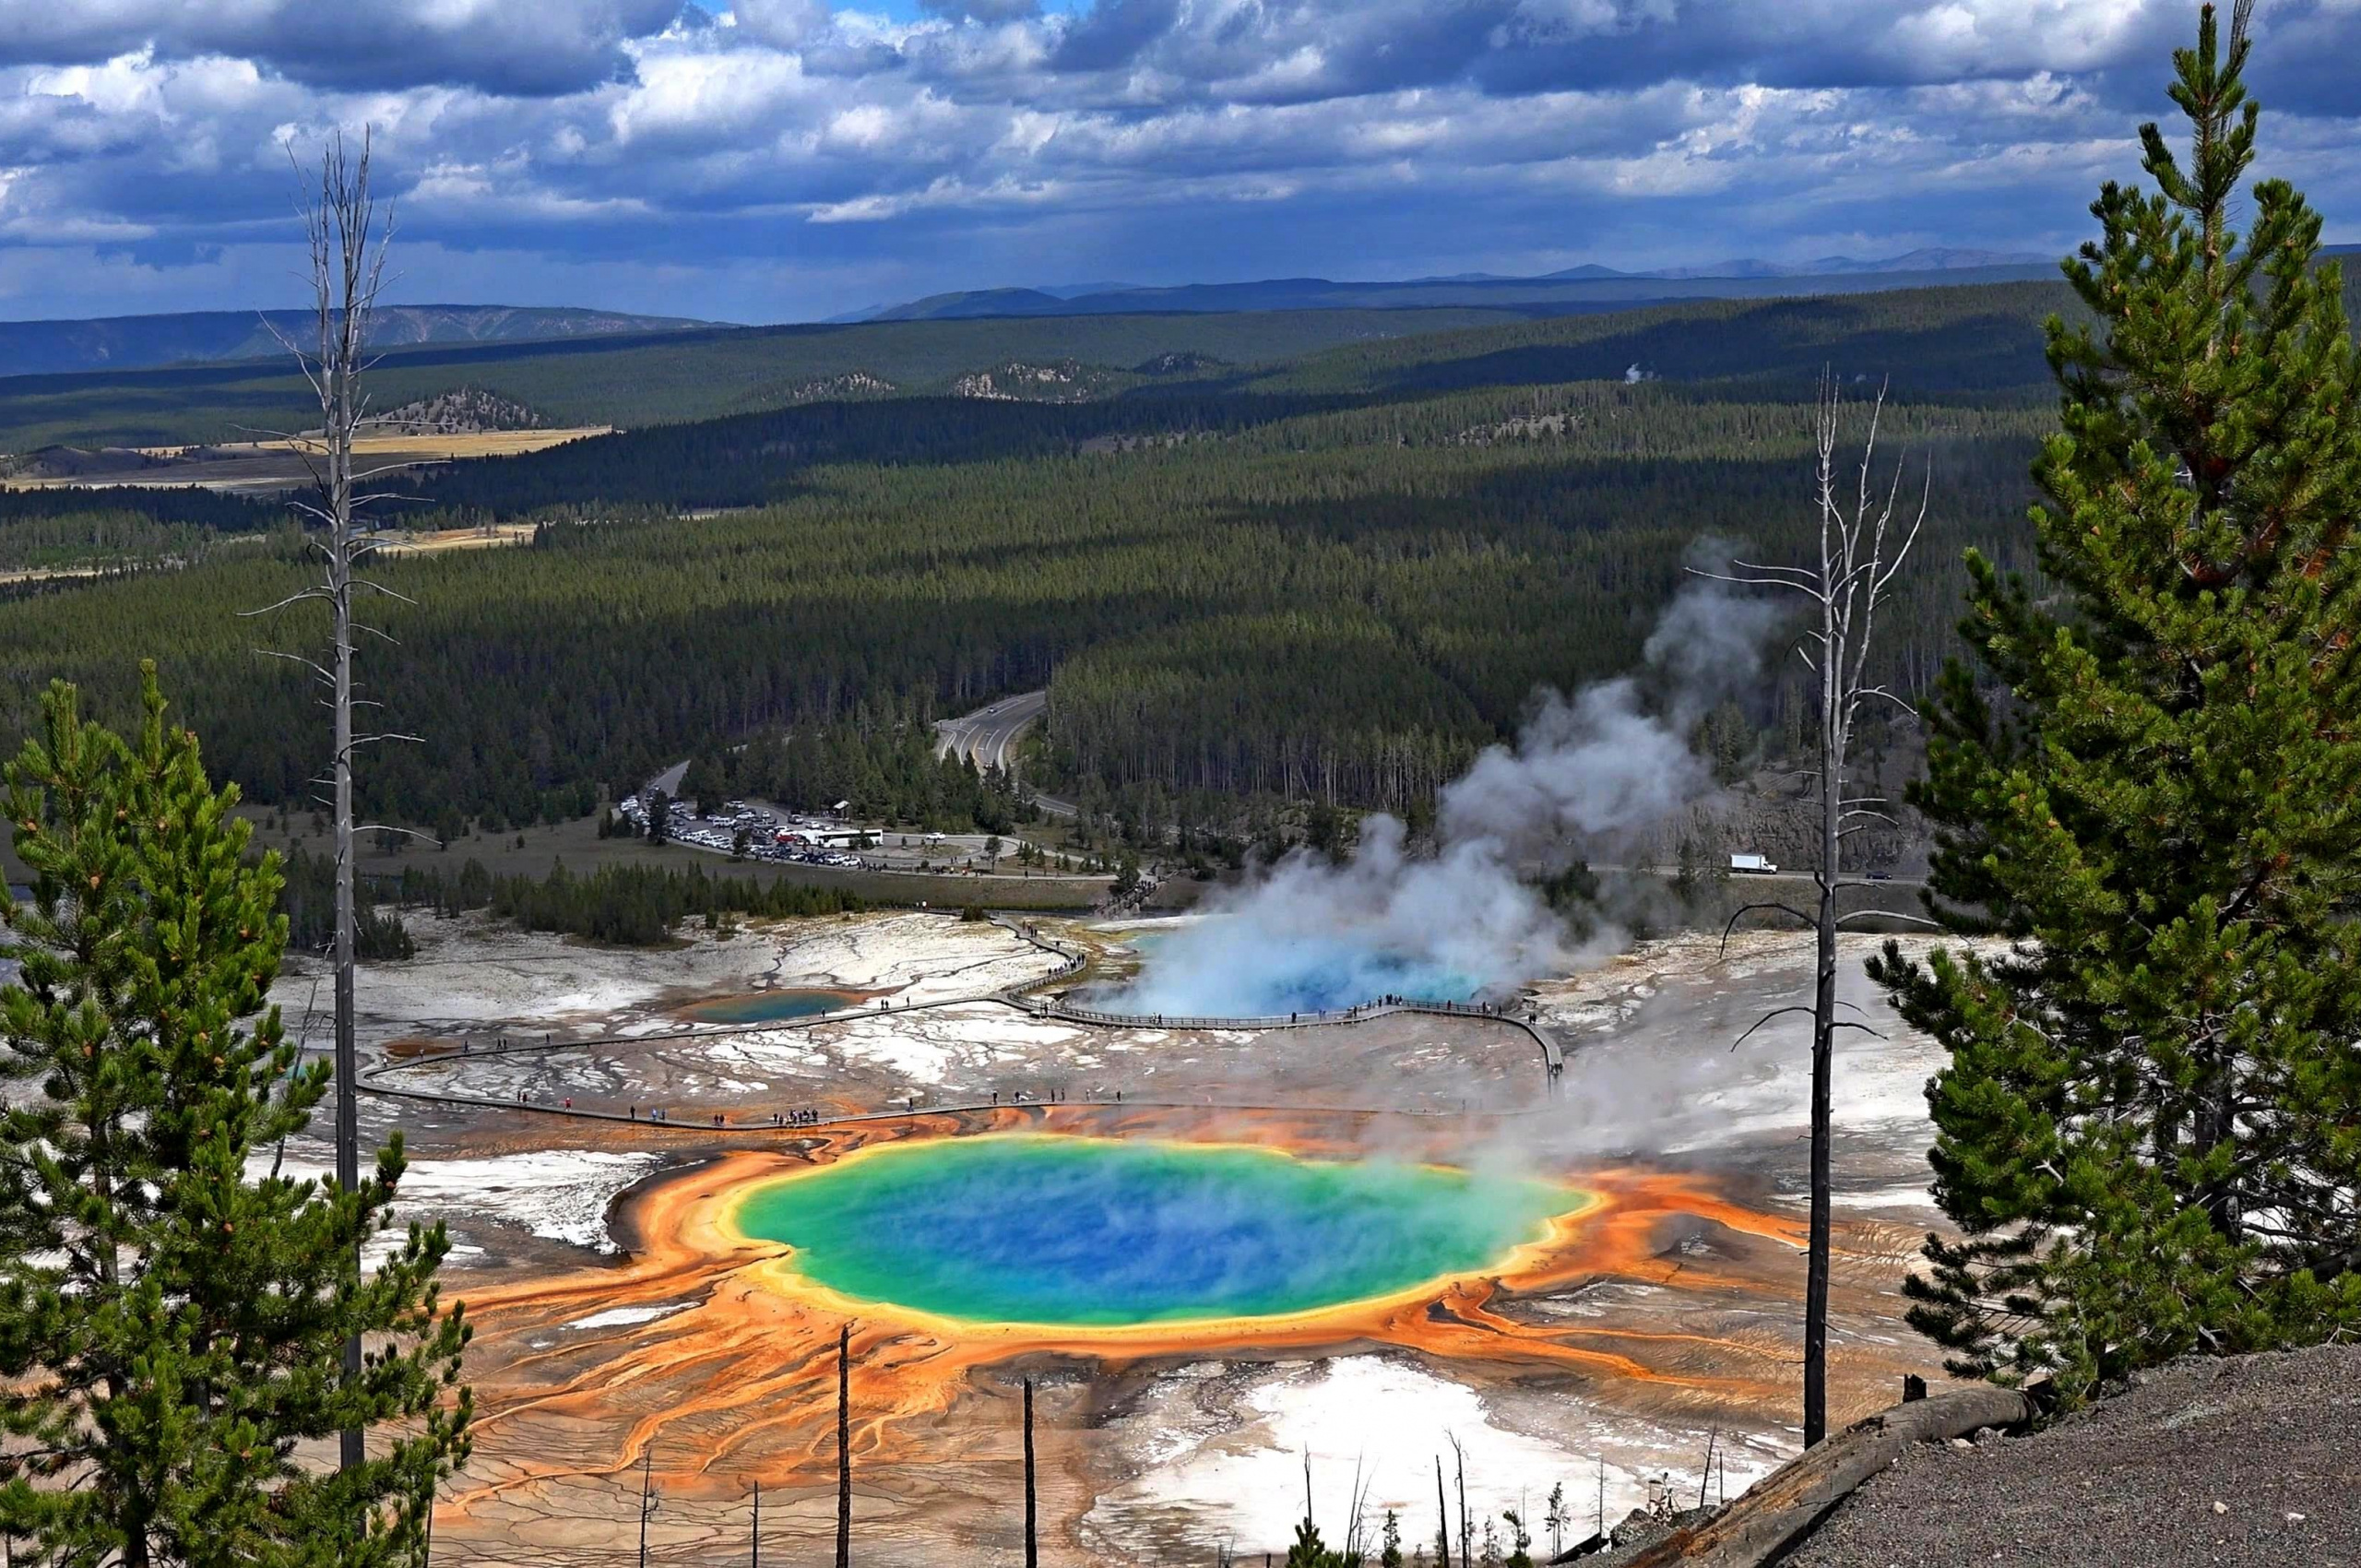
(1793, 1498)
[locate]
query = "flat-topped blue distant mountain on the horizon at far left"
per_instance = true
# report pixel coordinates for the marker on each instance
(136, 344)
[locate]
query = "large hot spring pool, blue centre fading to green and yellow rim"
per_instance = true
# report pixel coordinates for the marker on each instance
(1104, 1234)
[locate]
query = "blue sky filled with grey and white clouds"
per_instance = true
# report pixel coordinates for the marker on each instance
(790, 159)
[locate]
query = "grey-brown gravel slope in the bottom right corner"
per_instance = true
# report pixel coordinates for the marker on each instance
(2251, 1461)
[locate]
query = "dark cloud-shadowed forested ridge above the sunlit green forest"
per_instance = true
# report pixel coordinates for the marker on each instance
(1930, 344)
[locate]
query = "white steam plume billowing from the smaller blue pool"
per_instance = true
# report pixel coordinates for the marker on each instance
(1465, 922)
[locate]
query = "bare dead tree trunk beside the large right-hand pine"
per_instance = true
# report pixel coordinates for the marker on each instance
(1864, 544)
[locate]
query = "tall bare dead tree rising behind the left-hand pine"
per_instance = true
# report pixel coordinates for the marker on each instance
(348, 247)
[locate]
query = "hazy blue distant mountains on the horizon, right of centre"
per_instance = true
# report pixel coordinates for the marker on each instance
(1578, 289)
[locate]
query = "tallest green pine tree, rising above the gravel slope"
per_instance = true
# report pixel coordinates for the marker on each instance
(2150, 1130)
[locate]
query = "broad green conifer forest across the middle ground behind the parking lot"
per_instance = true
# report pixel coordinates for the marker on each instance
(1338, 603)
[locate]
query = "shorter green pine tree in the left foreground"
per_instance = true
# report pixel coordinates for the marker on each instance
(174, 1307)
